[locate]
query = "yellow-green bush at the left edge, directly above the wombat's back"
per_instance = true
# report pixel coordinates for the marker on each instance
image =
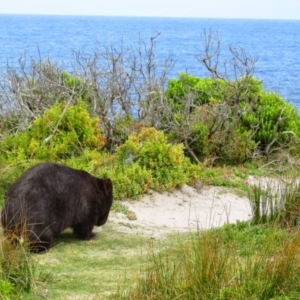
(75, 131)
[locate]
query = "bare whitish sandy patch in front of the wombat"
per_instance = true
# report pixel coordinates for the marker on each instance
(185, 209)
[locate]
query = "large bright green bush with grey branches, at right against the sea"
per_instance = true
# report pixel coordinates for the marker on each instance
(229, 121)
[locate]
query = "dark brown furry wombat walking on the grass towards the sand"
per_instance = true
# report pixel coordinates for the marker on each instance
(50, 197)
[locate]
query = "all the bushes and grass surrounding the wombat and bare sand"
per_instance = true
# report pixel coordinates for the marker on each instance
(117, 115)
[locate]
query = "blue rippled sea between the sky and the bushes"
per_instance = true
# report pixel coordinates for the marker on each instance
(275, 44)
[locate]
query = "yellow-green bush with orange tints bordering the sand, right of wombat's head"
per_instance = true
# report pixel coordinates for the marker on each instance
(150, 149)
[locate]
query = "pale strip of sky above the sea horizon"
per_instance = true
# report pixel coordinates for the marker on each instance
(253, 9)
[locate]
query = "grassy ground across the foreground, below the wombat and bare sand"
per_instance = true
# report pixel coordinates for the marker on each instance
(249, 260)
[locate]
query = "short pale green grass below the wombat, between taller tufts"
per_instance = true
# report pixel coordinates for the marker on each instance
(89, 269)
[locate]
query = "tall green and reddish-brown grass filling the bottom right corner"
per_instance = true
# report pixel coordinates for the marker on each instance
(213, 265)
